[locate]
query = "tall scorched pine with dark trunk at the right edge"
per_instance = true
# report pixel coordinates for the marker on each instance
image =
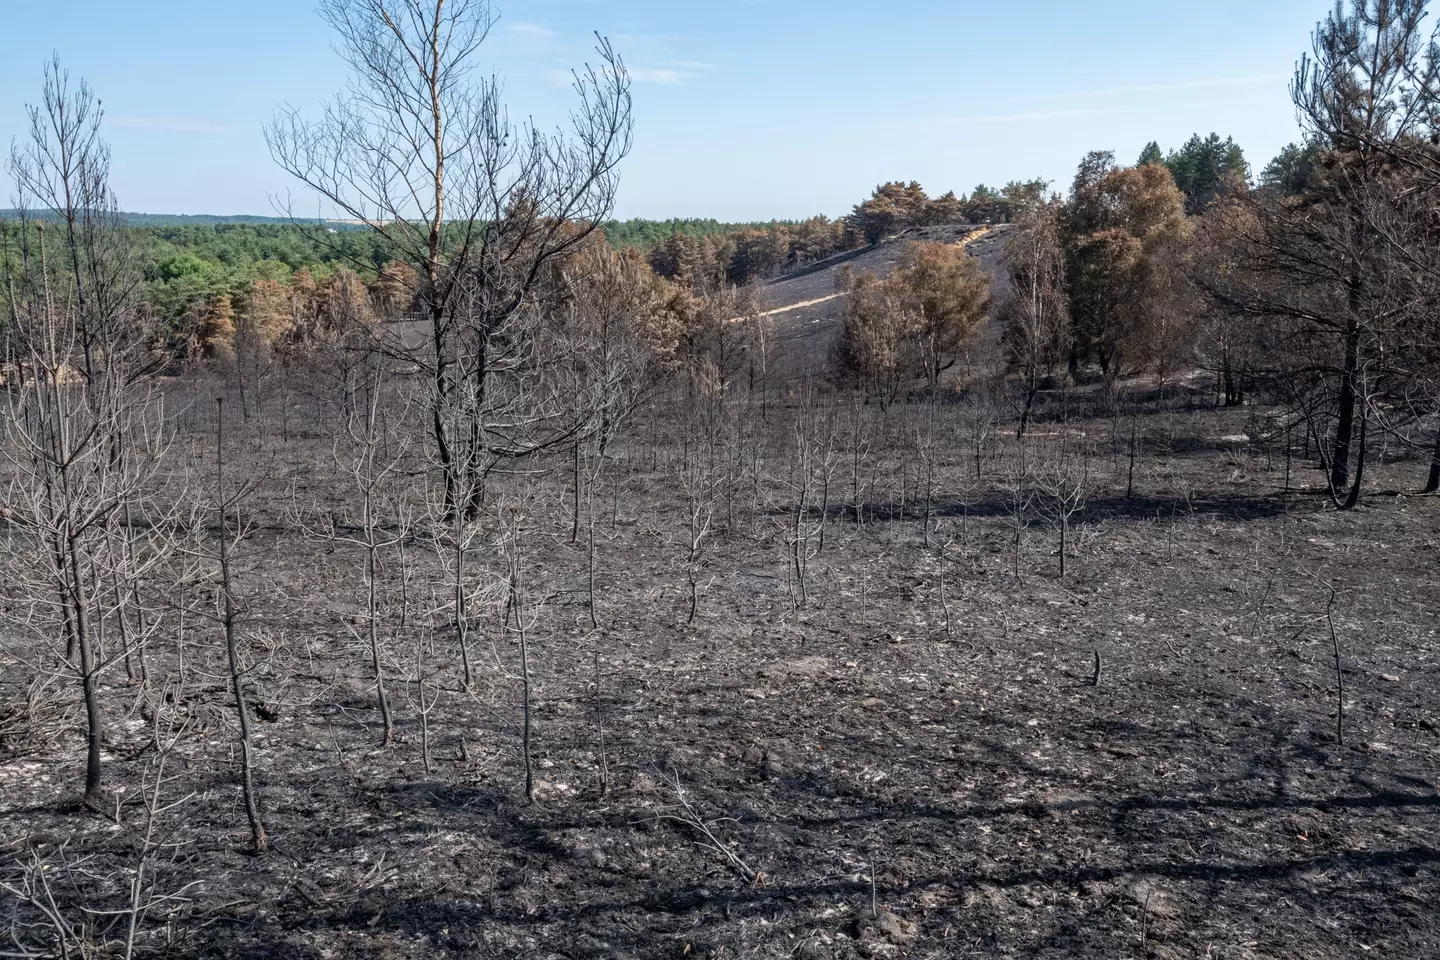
(1337, 280)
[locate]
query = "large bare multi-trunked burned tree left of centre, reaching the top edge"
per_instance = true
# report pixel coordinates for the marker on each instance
(424, 153)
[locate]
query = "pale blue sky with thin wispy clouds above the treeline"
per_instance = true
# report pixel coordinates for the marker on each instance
(745, 109)
